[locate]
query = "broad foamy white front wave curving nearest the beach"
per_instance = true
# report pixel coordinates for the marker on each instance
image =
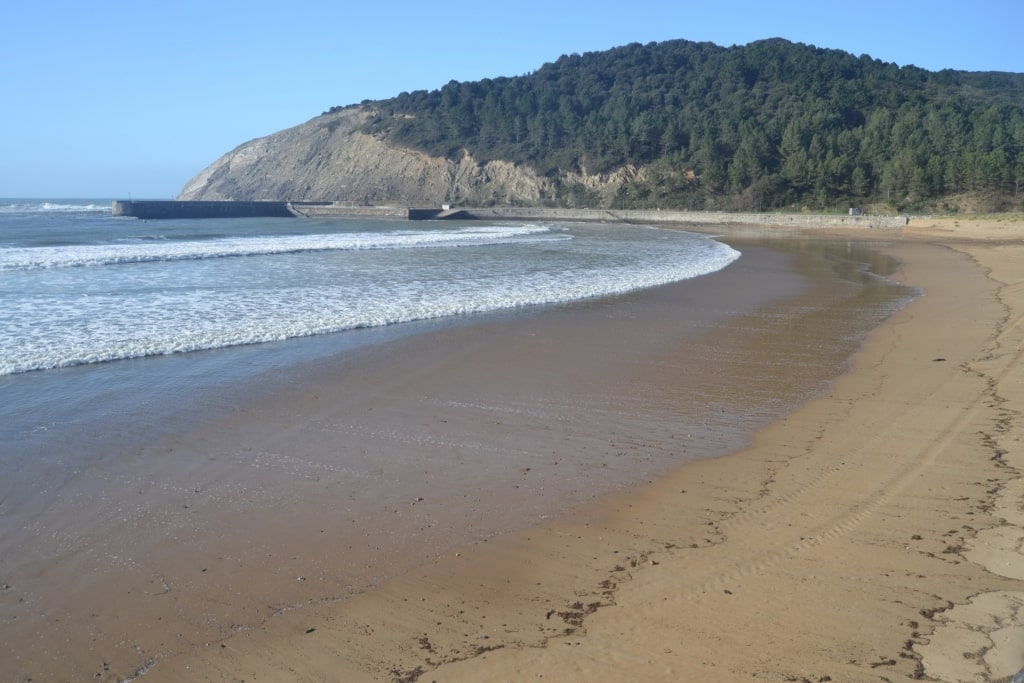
(93, 330)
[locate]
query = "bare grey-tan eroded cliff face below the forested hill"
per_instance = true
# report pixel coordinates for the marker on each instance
(327, 159)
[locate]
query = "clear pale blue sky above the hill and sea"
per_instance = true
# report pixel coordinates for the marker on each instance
(109, 99)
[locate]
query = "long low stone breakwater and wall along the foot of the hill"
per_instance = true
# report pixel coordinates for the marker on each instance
(176, 209)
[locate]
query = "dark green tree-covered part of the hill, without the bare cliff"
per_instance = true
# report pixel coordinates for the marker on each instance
(769, 125)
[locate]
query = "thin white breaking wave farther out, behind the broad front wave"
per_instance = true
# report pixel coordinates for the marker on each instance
(35, 259)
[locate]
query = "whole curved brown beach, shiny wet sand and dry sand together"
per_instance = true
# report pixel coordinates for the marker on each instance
(583, 516)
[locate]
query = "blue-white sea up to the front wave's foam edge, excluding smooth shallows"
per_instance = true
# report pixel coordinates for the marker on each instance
(79, 286)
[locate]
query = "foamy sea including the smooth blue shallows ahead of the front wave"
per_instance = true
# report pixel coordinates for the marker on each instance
(113, 329)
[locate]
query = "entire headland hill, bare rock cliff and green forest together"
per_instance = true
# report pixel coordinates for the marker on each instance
(677, 124)
